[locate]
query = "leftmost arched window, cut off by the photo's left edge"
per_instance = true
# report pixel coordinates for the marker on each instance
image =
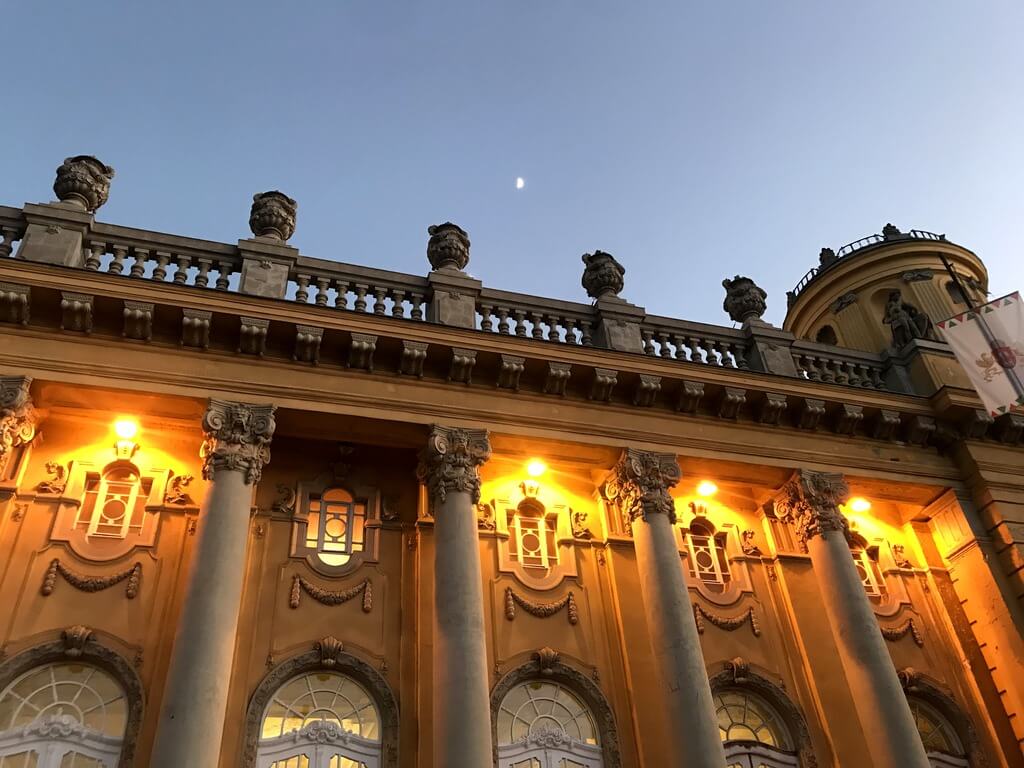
(63, 716)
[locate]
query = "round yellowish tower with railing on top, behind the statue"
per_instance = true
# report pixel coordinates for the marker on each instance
(875, 293)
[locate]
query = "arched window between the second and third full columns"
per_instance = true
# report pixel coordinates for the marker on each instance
(543, 724)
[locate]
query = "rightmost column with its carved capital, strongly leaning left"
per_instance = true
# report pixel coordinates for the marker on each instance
(812, 500)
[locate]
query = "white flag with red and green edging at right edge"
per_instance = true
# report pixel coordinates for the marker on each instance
(989, 342)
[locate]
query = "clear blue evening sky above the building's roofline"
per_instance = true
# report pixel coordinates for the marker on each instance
(695, 141)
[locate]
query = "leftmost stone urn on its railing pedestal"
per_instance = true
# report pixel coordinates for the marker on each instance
(56, 231)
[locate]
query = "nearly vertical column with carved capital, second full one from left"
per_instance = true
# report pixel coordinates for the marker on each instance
(449, 466)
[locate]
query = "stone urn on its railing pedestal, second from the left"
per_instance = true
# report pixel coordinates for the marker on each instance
(267, 259)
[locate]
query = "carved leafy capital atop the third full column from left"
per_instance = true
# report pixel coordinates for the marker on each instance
(639, 485)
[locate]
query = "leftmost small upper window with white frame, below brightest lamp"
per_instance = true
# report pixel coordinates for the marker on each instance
(114, 504)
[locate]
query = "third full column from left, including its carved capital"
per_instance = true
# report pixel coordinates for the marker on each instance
(639, 487)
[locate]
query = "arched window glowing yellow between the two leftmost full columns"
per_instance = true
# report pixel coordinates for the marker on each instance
(320, 720)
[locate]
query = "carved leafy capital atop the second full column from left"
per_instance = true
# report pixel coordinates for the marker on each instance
(451, 461)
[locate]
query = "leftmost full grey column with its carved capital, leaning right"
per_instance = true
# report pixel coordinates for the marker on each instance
(192, 719)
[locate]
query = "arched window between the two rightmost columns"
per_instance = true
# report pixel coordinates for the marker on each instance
(754, 736)
